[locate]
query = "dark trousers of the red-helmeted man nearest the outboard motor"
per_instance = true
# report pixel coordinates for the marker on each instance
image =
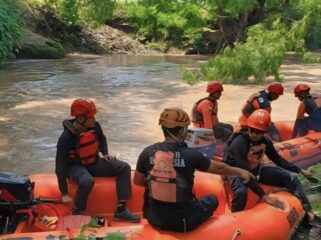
(83, 176)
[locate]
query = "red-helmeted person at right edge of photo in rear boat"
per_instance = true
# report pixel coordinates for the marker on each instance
(310, 105)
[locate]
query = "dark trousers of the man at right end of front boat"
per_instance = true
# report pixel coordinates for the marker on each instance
(273, 176)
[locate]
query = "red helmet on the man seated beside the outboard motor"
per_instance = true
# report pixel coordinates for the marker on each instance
(81, 106)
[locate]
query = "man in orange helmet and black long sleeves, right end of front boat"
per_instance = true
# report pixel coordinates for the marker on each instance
(246, 151)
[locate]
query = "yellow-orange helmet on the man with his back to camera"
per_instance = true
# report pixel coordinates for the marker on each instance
(174, 117)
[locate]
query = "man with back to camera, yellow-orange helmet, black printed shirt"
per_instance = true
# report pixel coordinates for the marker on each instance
(171, 204)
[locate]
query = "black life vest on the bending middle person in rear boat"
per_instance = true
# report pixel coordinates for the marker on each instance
(263, 99)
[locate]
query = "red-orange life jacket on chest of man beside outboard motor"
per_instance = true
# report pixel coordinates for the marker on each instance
(87, 148)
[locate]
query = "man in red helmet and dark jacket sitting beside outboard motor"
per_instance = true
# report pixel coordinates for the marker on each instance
(78, 159)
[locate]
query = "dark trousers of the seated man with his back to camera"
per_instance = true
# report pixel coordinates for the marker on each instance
(181, 219)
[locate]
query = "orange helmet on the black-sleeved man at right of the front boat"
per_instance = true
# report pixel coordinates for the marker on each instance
(259, 119)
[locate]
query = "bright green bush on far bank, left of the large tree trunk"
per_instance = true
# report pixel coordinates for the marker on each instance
(178, 22)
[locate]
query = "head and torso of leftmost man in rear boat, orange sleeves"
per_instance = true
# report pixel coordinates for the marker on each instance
(204, 112)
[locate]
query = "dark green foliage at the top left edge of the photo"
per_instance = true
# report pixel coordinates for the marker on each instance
(10, 29)
